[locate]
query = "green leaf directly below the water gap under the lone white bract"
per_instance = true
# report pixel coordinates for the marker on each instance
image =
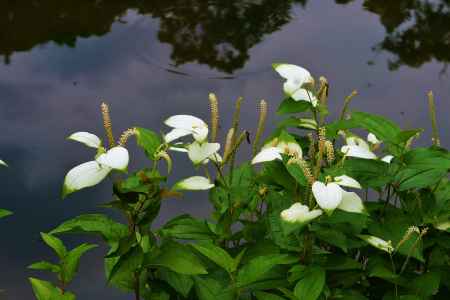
(186, 227)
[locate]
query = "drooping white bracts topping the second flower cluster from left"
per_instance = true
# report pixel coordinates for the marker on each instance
(186, 125)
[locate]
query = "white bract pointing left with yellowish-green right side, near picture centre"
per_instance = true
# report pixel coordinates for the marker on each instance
(272, 152)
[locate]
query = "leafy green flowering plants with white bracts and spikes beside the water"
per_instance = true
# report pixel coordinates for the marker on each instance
(317, 212)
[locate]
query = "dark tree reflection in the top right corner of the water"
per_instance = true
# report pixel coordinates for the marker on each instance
(418, 31)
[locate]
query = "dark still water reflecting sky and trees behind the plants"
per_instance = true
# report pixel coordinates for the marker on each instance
(152, 59)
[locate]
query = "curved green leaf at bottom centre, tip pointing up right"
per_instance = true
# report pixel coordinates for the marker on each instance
(258, 267)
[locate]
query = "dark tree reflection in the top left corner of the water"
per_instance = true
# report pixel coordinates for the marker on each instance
(25, 24)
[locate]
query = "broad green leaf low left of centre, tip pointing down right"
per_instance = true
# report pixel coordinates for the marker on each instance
(178, 258)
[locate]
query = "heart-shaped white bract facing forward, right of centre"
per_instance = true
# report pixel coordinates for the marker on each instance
(328, 197)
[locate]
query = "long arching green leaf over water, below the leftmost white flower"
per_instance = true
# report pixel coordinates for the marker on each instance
(110, 230)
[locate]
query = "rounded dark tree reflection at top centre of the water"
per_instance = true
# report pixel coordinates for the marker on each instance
(218, 33)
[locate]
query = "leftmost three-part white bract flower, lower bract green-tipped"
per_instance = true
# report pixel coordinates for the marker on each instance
(93, 172)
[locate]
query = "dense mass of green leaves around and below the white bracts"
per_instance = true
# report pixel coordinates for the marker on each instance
(396, 246)
